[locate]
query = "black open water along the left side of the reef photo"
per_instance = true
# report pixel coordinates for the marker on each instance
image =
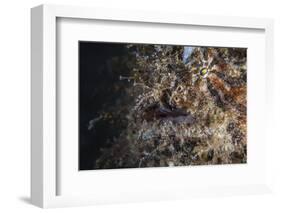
(97, 75)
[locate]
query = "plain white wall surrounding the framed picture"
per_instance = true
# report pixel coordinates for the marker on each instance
(15, 104)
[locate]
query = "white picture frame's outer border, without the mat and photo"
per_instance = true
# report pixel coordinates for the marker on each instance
(44, 148)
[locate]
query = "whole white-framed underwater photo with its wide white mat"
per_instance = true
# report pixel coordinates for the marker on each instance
(130, 106)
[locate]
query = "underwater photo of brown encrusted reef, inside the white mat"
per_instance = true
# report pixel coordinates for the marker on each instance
(151, 105)
